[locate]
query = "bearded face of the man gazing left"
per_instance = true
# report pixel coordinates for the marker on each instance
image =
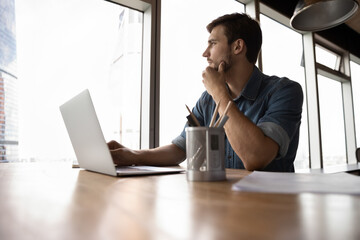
(218, 49)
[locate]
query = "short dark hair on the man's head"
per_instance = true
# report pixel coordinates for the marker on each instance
(241, 25)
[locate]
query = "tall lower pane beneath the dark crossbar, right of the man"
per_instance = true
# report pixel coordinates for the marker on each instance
(331, 122)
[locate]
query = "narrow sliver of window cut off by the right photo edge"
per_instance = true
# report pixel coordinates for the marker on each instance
(355, 83)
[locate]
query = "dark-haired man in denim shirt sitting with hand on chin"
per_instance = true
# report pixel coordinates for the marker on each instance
(262, 132)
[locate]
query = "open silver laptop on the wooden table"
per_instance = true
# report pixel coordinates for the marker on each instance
(89, 144)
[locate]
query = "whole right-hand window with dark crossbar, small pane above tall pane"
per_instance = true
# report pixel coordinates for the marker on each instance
(335, 104)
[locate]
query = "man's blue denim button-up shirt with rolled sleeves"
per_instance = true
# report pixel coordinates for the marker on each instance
(274, 104)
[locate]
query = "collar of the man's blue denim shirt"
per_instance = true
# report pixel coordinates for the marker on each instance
(252, 87)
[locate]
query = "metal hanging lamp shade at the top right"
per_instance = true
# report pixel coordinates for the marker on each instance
(317, 15)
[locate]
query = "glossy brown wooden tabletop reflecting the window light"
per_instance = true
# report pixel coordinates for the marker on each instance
(53, 201)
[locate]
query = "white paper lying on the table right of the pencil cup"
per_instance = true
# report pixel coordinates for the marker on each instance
(274, 182)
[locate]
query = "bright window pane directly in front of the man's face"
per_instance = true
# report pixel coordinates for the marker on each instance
(183, 41)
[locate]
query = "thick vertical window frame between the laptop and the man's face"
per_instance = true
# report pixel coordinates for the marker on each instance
(149, 122)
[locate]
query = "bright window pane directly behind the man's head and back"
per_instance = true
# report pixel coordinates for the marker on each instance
(281, 55)
